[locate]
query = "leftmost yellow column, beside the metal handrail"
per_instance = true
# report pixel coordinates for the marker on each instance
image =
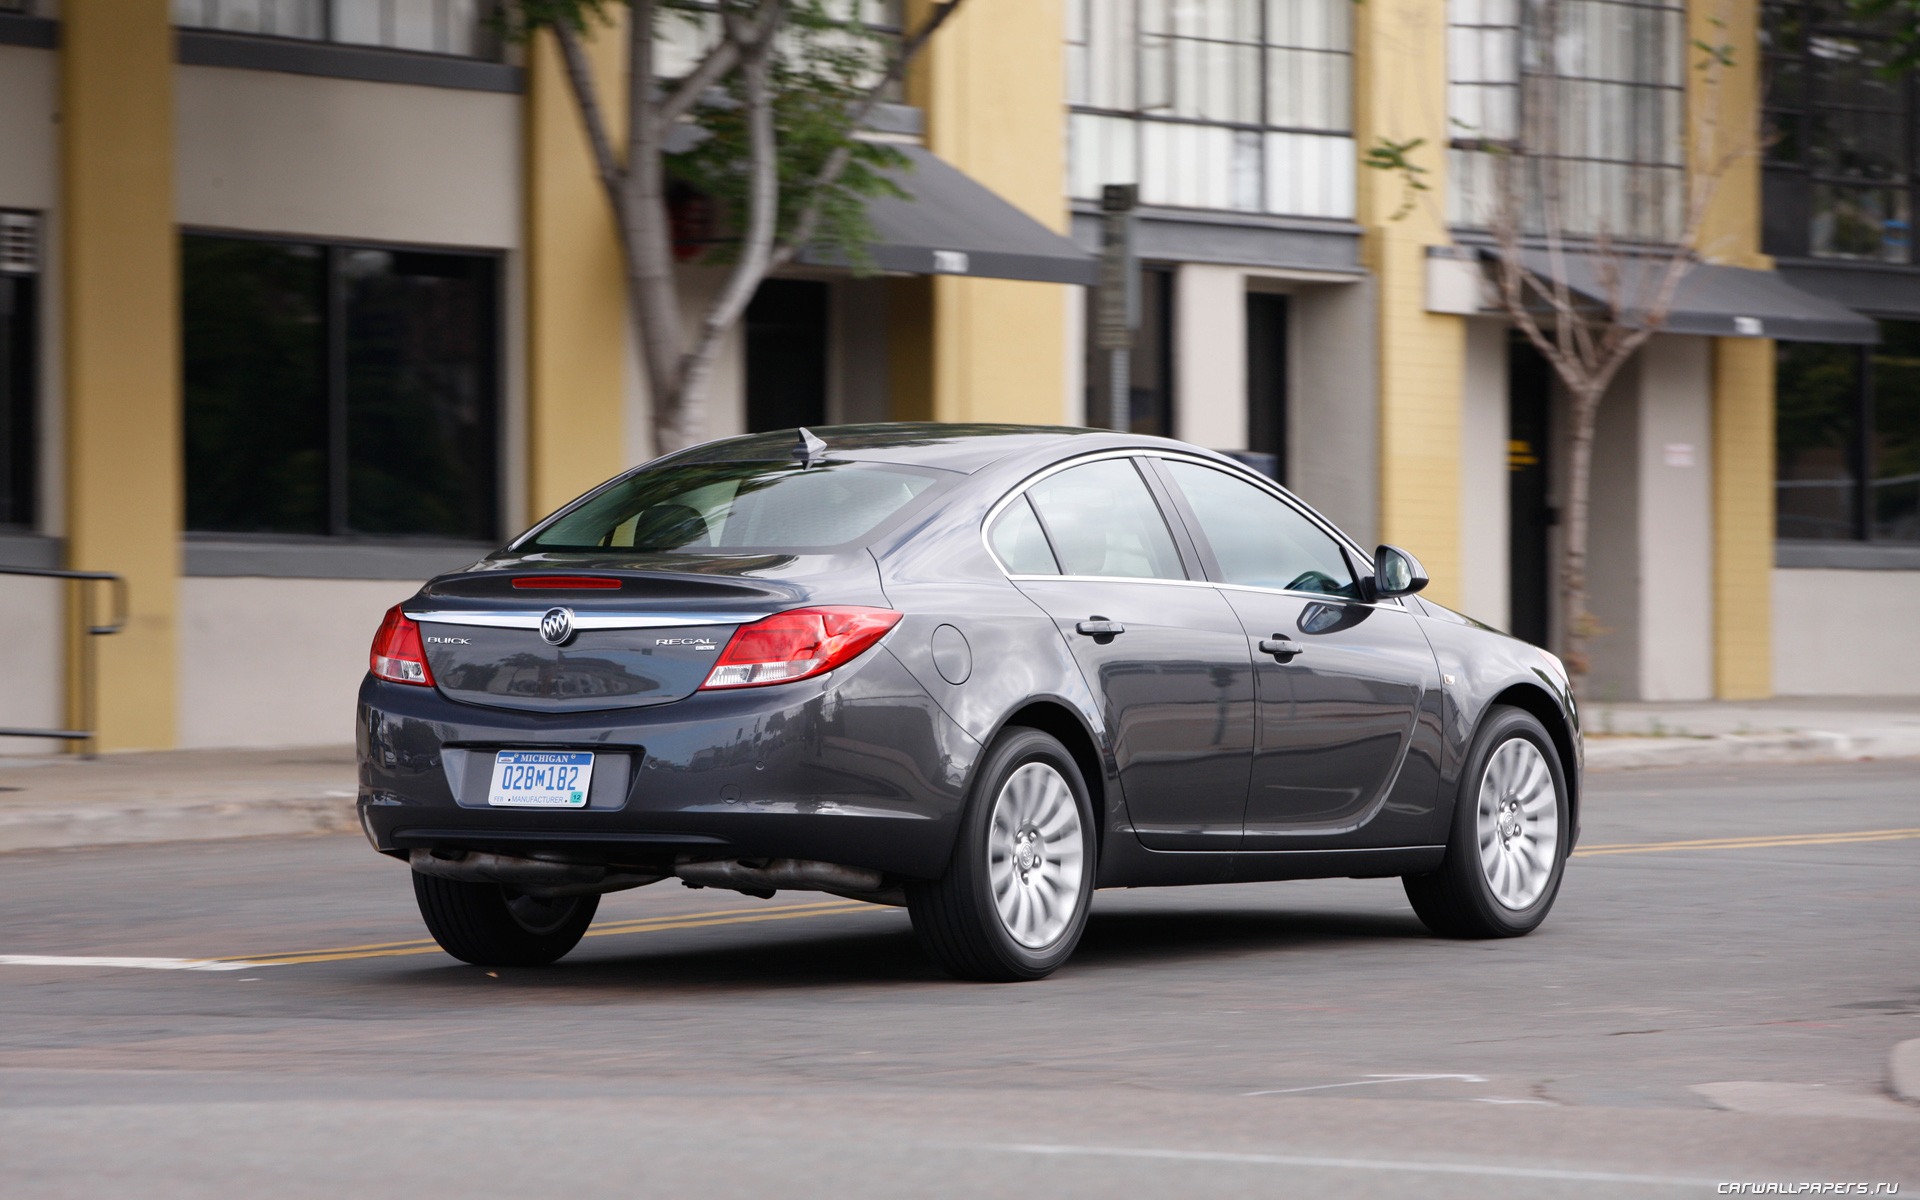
(120, 262)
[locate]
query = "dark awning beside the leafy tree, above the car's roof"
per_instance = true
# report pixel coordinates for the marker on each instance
(953, 226)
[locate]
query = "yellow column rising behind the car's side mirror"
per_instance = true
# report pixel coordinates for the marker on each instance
(1401, 95)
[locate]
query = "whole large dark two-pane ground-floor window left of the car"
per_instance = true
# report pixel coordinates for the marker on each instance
(339, 391)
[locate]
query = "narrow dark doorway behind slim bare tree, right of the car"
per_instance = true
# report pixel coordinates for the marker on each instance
(1529, 500)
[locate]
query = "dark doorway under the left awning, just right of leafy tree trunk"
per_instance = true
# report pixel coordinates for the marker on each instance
(788, 356)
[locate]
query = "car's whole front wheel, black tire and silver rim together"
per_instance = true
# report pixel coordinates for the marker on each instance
(1510, 836)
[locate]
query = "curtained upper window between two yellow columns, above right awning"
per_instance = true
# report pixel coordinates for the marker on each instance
(1587, 95)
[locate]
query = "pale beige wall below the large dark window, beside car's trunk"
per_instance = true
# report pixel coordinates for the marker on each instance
(276, 661)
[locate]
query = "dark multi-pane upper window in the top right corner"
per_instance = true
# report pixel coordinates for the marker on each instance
(1840, 135)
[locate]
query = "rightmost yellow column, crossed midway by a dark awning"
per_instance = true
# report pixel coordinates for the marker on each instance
(1723, 112)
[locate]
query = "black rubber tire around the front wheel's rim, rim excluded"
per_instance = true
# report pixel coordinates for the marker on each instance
(1458, 900)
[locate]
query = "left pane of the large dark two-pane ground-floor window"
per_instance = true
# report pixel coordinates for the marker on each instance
(254, 348)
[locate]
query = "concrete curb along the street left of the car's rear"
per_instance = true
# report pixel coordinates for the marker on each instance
(105, 827)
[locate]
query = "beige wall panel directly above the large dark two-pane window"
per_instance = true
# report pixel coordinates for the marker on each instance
(341, 158)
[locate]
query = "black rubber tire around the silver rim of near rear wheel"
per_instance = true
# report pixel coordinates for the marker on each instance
(957, 917)
